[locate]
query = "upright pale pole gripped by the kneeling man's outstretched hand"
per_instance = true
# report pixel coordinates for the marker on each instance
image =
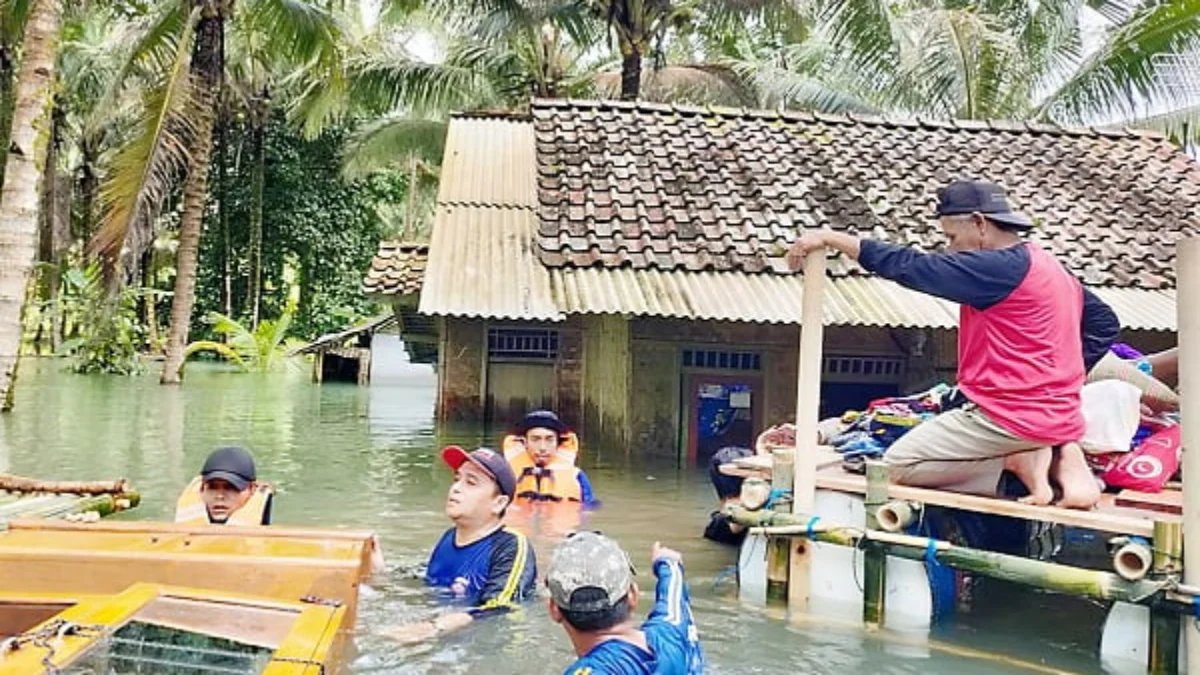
(808, 399)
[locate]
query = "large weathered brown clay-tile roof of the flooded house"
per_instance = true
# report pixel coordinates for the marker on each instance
(664, 188)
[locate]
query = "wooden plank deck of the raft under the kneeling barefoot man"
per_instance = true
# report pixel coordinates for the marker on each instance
(1109, 516)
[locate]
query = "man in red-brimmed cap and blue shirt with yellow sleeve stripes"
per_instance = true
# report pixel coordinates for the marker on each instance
(483, 565)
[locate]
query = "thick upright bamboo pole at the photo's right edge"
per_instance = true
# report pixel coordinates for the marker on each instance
(1189, 308)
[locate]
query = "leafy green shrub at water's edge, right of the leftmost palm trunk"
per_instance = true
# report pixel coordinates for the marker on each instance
(101, 333)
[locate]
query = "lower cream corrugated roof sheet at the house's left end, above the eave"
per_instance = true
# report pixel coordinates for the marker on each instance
(482, 265)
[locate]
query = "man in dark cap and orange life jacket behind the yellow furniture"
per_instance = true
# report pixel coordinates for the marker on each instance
(226, 493)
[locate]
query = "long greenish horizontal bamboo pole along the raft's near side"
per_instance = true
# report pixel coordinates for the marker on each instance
(1036, 574)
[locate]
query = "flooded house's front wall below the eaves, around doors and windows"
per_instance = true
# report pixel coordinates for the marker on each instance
(620, 381)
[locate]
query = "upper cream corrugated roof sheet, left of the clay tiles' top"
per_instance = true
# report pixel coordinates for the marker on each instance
(489, 163)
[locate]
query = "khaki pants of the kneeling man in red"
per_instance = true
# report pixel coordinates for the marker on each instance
(962, 451)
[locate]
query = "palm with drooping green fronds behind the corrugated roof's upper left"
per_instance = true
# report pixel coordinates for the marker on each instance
(487, 59)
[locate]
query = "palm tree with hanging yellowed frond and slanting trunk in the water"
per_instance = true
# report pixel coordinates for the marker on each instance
(183, 52)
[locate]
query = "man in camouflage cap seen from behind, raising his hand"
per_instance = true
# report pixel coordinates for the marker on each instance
(593, 595)
